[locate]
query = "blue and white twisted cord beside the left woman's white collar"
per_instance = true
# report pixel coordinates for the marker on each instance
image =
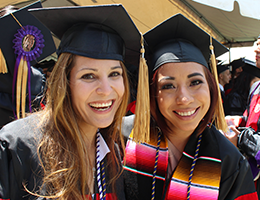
(100, 170)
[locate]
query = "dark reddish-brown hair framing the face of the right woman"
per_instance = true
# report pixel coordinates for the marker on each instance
(160, 119)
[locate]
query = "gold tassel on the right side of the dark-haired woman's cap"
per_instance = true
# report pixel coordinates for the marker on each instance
(218, 116)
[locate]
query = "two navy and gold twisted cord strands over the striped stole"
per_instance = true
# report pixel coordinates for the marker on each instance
(191, 170)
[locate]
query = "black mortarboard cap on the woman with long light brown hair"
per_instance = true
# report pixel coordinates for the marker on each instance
(99, 32)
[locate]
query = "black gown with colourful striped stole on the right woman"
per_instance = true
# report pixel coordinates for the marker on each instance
(221, 172)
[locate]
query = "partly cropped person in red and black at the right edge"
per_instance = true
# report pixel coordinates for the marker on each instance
(246, 128)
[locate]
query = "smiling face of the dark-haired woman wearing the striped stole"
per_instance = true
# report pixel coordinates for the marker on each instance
(183, 95)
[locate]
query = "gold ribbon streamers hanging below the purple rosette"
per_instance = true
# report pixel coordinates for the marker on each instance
(21, 86)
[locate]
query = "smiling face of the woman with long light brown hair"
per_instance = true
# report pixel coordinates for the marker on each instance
(97, 89)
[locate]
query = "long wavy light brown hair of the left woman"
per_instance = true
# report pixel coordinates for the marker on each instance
(62, 150)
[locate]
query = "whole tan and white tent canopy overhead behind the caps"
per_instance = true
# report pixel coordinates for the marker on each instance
(235, 23)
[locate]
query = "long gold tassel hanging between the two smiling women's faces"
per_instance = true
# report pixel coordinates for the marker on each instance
(141, 131)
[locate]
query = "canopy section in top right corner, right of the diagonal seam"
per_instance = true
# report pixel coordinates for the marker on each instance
(236, 22)
